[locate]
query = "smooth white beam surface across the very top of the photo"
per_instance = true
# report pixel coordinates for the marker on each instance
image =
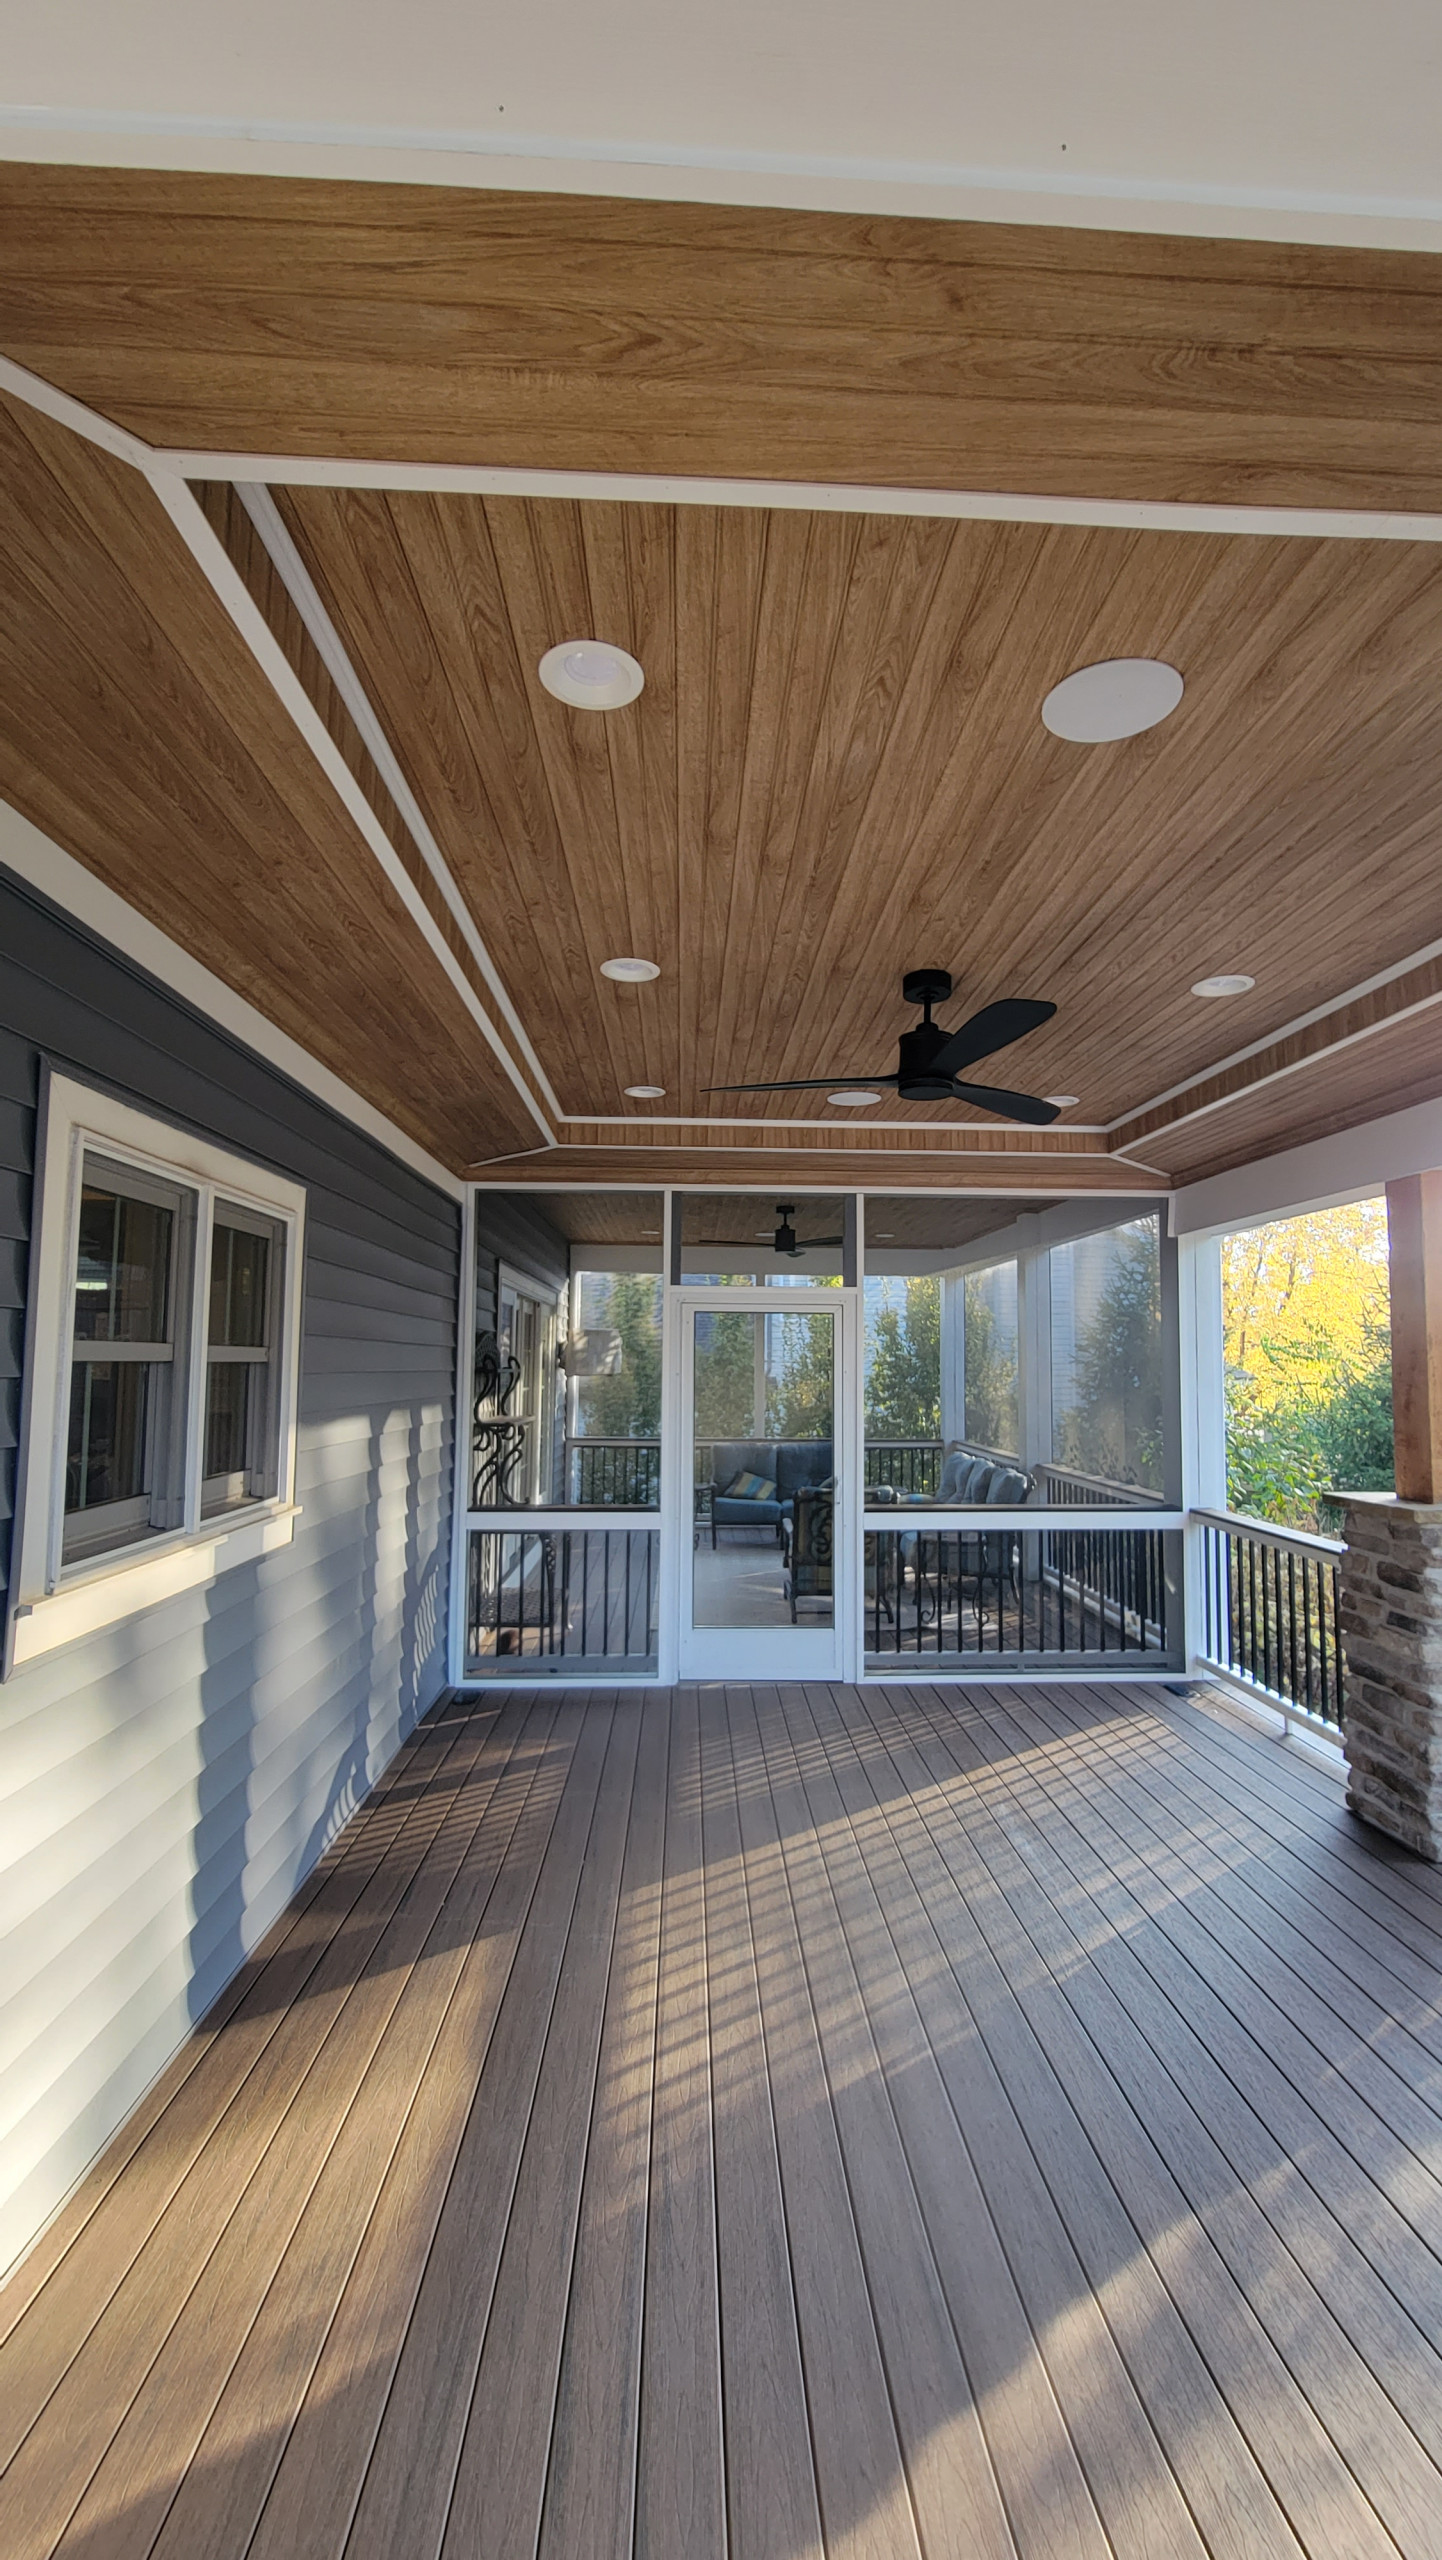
(1269, 122)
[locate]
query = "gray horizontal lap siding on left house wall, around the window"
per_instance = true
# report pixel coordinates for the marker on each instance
(168, 1783)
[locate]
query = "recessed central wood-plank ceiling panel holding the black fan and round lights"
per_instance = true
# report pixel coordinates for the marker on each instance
(839, 769)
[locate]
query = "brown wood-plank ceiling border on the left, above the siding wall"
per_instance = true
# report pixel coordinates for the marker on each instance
(142, 736)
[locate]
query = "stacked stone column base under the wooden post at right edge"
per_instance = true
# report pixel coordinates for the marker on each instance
(1392, 1642)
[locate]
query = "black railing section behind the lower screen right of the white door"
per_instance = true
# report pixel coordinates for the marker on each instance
(1021, 1594)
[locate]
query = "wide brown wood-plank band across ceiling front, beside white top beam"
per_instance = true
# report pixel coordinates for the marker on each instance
(593, 334)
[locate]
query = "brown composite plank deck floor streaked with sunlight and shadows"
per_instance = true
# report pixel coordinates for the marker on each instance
(780, 2124)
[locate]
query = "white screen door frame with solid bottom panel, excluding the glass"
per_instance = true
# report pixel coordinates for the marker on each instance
(788, 1652)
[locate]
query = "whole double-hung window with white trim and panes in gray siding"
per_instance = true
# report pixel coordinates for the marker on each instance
(163, 1363)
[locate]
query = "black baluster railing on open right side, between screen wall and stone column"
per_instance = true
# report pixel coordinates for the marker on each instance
(1272, 1612)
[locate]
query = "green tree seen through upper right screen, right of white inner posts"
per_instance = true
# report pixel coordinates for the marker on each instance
(1115, 1427)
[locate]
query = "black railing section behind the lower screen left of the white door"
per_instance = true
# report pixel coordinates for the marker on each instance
(562, 1599)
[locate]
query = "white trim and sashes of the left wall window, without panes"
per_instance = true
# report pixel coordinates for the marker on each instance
(55, 1601)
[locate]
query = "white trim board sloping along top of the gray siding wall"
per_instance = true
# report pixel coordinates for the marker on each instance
(76, 890)
